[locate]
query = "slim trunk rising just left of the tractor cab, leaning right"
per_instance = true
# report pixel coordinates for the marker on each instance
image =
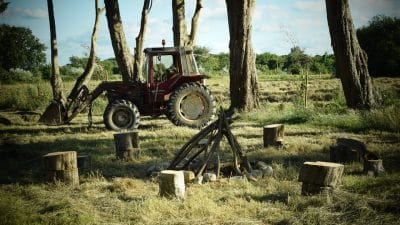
(138, 59)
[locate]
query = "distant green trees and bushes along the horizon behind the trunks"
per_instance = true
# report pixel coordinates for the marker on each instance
(23, 56)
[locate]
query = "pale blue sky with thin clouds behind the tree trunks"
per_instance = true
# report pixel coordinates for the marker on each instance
(278, 25)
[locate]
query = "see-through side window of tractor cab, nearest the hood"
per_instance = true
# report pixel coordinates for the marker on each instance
(163, 67)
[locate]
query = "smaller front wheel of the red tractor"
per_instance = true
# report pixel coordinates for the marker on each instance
(121, 115)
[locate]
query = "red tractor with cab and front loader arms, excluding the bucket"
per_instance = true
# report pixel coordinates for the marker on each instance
(172, 86)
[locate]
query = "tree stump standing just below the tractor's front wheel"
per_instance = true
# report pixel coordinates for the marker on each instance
(127, 145)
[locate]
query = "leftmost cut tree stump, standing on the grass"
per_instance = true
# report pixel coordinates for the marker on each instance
(61, 166)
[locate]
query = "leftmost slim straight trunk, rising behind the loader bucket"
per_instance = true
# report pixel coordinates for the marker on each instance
(56, 81)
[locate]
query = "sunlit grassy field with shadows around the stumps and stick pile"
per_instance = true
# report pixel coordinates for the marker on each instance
(114, 192)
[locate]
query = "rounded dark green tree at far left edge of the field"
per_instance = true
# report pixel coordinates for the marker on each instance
(20, 48)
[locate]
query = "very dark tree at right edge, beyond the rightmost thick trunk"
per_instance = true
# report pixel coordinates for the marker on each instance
(381, 41)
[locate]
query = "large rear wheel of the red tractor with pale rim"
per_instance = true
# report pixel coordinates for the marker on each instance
(192, 105)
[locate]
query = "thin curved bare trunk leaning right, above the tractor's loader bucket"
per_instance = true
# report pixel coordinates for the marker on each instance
(84, 79)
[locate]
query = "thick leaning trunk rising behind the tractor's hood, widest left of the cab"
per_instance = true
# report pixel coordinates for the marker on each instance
(121, 50)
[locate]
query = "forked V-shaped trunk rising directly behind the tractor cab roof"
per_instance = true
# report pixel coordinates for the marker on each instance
(181, 37)
